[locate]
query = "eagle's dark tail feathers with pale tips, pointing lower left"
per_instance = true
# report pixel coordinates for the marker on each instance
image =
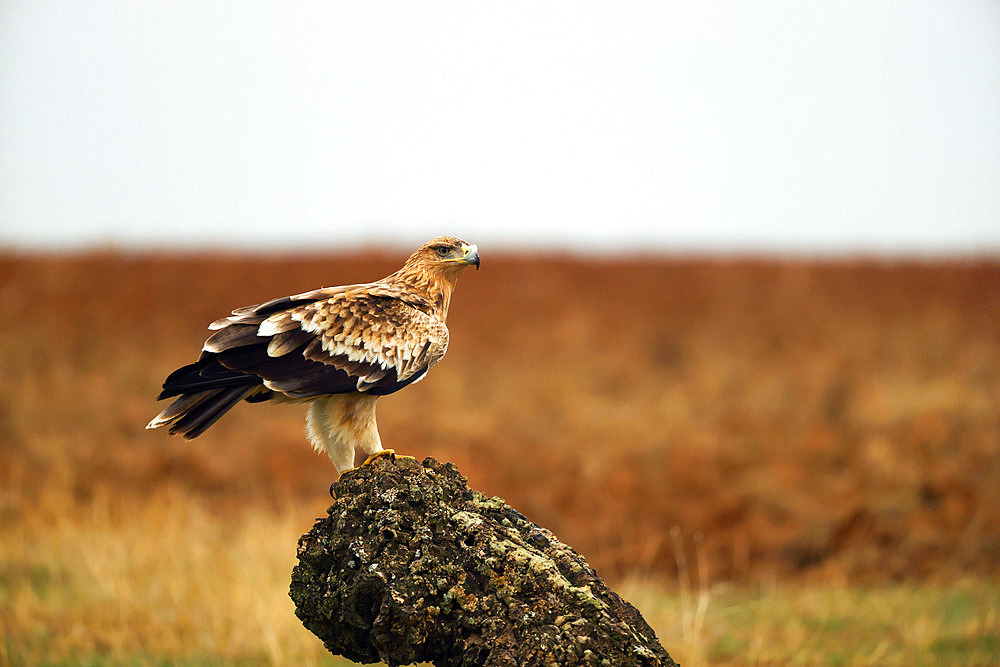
(204, 392)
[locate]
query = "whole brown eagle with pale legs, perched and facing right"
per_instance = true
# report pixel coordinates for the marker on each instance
(336, 348)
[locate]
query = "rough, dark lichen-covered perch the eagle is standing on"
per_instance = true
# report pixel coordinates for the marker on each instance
(412, 565)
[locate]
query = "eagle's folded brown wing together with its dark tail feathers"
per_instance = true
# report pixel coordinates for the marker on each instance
(373, 338)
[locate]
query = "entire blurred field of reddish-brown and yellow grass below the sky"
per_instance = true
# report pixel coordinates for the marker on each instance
(777, 461)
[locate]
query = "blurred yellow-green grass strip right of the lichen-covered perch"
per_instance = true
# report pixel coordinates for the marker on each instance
(828, 624)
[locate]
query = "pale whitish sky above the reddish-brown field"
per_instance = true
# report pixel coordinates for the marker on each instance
(675, 126)
